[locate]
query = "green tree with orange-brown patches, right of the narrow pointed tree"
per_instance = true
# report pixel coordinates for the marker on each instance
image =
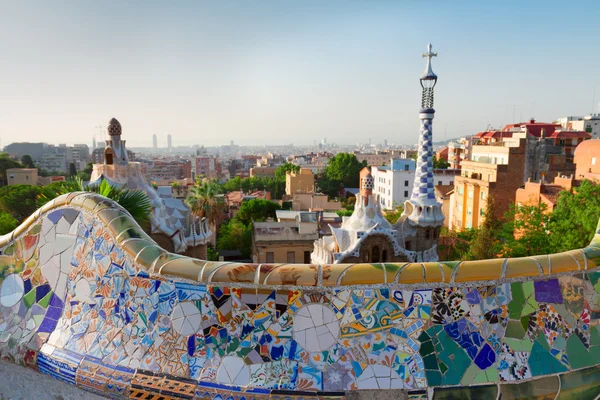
(525, 232)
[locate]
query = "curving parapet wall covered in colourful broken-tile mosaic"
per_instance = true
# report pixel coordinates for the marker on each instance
(87, 298)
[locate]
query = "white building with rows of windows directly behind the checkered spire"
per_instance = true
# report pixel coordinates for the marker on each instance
(394, 182)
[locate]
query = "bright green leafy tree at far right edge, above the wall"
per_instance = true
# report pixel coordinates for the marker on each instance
(575, 217)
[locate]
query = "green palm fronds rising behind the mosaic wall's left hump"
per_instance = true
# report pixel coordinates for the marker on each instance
(135, 202)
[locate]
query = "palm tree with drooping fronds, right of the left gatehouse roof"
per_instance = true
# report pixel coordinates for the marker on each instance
(206, 201)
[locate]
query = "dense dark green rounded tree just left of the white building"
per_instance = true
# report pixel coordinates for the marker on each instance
(343, 171)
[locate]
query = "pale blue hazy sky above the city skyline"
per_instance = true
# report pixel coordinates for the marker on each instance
(282, 71)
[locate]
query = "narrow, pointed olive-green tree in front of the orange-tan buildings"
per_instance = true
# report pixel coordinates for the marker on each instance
(486, 243)
